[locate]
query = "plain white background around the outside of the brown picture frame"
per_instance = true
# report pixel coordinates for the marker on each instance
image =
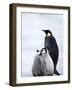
(4, 45)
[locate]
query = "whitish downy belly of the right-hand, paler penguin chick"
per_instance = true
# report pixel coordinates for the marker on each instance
(49, 65)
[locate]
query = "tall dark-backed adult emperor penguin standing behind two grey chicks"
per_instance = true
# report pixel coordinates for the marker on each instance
(51, 44)
